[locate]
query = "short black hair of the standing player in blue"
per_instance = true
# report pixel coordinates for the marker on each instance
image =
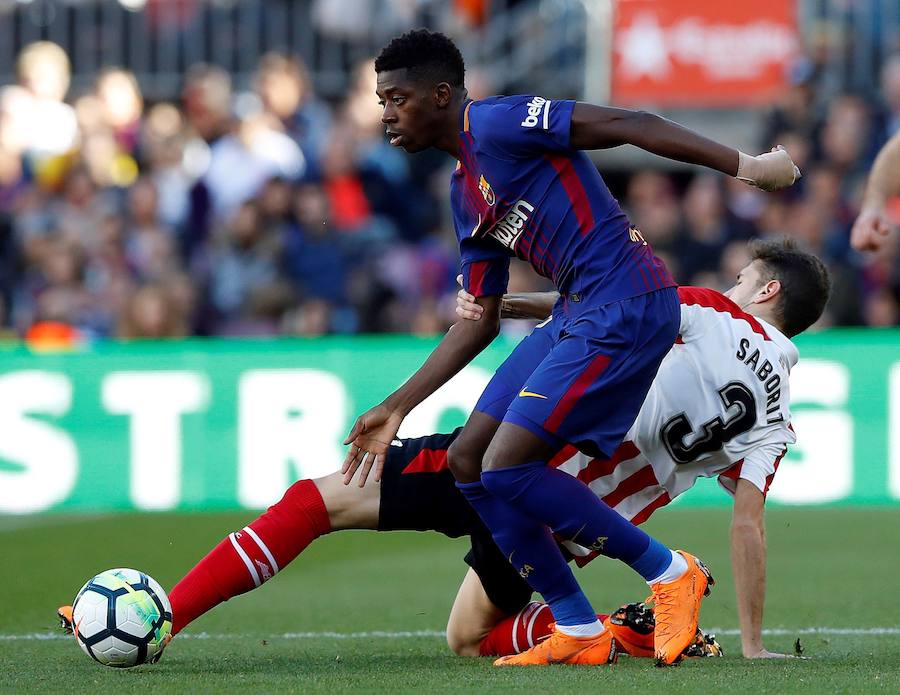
(425, 55)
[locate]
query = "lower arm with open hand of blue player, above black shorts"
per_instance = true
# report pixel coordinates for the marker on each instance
(372, 434)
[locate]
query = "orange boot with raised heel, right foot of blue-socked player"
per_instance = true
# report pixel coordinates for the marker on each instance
(677, 609)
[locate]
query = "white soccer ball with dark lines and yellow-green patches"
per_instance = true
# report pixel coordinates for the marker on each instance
(122, 618)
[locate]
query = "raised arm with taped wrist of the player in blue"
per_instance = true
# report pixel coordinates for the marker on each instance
(600, 127)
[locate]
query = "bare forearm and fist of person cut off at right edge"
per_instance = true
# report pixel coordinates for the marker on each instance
(873, 225)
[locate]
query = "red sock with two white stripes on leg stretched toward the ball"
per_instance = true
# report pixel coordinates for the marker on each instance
(247, 558)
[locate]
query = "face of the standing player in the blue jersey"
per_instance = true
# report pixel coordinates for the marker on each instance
(409, 113)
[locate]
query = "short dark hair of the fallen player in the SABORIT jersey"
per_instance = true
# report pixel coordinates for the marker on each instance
(805, 282)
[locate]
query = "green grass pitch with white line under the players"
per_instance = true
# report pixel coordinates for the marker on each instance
(315, 627)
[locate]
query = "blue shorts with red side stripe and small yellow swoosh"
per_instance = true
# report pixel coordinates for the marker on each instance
(582, 377)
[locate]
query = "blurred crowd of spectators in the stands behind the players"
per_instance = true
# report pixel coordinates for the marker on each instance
(273, 212)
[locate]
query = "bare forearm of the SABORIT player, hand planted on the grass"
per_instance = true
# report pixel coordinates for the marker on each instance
(748, 559)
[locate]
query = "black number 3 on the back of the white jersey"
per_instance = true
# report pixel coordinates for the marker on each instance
(714, 433)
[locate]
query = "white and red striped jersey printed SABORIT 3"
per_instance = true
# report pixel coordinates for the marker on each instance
(719, 406)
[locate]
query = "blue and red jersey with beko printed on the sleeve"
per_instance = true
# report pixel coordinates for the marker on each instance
(519, 189)
